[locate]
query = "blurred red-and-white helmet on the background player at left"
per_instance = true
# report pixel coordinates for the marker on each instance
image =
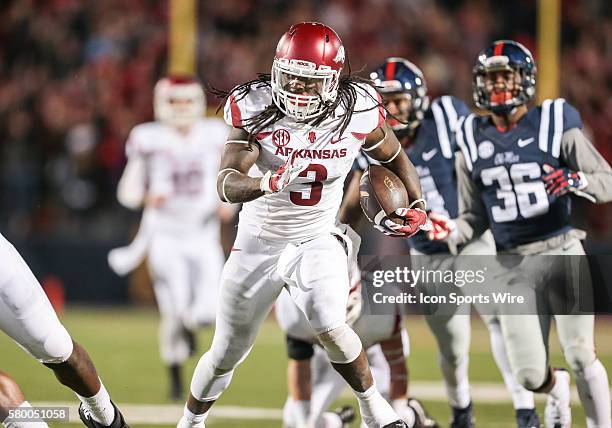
(178, 101)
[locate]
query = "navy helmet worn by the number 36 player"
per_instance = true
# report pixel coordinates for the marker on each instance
(504, 55)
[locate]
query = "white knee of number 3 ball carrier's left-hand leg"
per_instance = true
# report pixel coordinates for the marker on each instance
(209, 382)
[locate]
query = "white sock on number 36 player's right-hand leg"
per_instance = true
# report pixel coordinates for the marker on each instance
(594, 392)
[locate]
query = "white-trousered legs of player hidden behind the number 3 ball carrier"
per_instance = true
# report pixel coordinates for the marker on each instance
(313, 384)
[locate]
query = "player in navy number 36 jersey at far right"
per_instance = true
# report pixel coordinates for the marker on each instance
(518, 167)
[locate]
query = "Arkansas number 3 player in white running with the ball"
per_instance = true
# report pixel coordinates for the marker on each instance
(295, 135)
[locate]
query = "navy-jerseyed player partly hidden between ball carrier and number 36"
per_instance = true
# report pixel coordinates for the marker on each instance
(426, 131)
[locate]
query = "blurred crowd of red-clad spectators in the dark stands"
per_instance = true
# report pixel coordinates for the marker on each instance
(75, 76)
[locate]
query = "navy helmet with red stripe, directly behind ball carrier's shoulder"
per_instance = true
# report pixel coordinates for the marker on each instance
(398, 76)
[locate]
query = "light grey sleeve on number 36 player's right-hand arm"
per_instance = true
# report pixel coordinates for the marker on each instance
(579, 154)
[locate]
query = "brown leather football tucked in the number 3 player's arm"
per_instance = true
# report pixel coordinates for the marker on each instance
(380, 189)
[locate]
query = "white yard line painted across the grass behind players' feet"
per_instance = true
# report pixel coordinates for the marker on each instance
(482, 392)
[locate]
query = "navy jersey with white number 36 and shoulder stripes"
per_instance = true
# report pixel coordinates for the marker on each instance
(507, 168)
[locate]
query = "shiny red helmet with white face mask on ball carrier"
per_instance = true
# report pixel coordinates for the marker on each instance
(306, 69)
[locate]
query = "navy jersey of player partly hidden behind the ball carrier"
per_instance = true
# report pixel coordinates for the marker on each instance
(433, 154)
